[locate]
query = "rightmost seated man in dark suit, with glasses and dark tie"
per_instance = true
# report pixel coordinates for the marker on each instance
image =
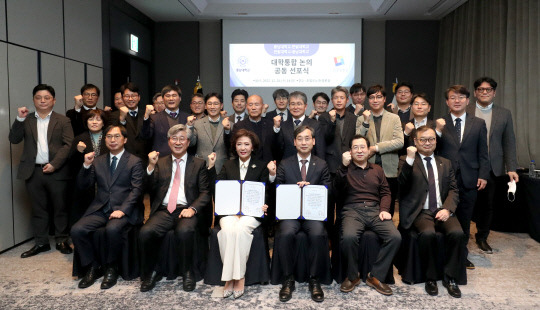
(427, 202)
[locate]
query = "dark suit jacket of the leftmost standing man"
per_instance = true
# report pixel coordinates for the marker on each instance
(59, 137)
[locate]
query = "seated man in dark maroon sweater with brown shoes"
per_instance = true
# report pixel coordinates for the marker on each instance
(366, 205)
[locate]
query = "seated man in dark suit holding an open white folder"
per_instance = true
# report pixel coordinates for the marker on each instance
(302, 169)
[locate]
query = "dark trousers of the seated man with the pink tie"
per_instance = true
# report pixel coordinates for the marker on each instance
(153, 231)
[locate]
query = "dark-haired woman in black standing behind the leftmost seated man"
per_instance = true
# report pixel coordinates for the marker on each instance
(91, 140)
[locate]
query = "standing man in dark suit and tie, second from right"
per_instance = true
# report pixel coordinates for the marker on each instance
(463, 141)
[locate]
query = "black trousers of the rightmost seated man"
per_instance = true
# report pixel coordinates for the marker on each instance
(427, 226)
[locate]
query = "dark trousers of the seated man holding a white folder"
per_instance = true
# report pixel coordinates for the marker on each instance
(318, 245)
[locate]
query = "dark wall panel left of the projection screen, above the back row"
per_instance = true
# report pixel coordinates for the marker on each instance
(176, 53)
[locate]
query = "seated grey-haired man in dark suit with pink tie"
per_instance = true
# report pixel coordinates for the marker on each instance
(180, 194)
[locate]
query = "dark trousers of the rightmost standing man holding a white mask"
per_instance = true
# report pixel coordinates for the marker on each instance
(484, 206)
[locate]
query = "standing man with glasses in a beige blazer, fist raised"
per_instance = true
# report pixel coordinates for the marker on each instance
(385, 135)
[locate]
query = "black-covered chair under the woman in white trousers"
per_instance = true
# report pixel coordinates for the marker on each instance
(258, 264)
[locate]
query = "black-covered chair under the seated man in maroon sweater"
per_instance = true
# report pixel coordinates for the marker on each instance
(370, 246)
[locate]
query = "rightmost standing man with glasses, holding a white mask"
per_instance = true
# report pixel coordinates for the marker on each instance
(502, 153)
